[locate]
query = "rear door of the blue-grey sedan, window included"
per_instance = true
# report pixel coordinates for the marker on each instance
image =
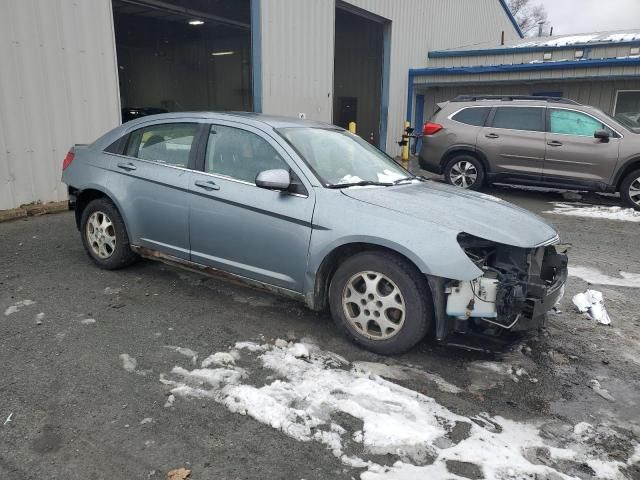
(152, 185)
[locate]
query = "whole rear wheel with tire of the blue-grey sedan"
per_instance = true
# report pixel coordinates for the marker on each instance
(104, 235)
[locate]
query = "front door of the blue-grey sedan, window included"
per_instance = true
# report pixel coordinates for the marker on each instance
(238, 227)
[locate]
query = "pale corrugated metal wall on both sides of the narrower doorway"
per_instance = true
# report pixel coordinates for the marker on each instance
(298, 43)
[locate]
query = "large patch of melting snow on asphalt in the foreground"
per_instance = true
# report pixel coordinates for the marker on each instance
(355, 413)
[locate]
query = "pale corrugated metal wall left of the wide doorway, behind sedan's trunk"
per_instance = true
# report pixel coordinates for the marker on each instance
(58, 86)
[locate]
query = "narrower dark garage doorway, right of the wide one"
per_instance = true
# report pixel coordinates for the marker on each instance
(359, 84)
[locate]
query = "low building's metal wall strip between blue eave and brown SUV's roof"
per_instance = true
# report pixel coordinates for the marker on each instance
(600, 94)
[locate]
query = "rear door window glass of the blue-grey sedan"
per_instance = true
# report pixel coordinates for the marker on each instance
(168, 143)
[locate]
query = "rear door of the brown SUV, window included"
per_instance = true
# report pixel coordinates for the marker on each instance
(514, 141)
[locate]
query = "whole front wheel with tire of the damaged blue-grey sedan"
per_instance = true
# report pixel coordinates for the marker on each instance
(381, 327)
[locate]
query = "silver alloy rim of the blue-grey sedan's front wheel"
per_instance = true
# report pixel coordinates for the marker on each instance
(373, 305)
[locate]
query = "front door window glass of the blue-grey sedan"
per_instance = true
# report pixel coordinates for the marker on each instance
(240, 154)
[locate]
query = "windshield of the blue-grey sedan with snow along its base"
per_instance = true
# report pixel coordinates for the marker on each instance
(340, 158)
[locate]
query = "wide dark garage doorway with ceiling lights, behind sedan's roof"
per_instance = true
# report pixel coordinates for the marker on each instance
(183, 55)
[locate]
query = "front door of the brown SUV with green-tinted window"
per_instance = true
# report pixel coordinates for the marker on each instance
(573, 154)
